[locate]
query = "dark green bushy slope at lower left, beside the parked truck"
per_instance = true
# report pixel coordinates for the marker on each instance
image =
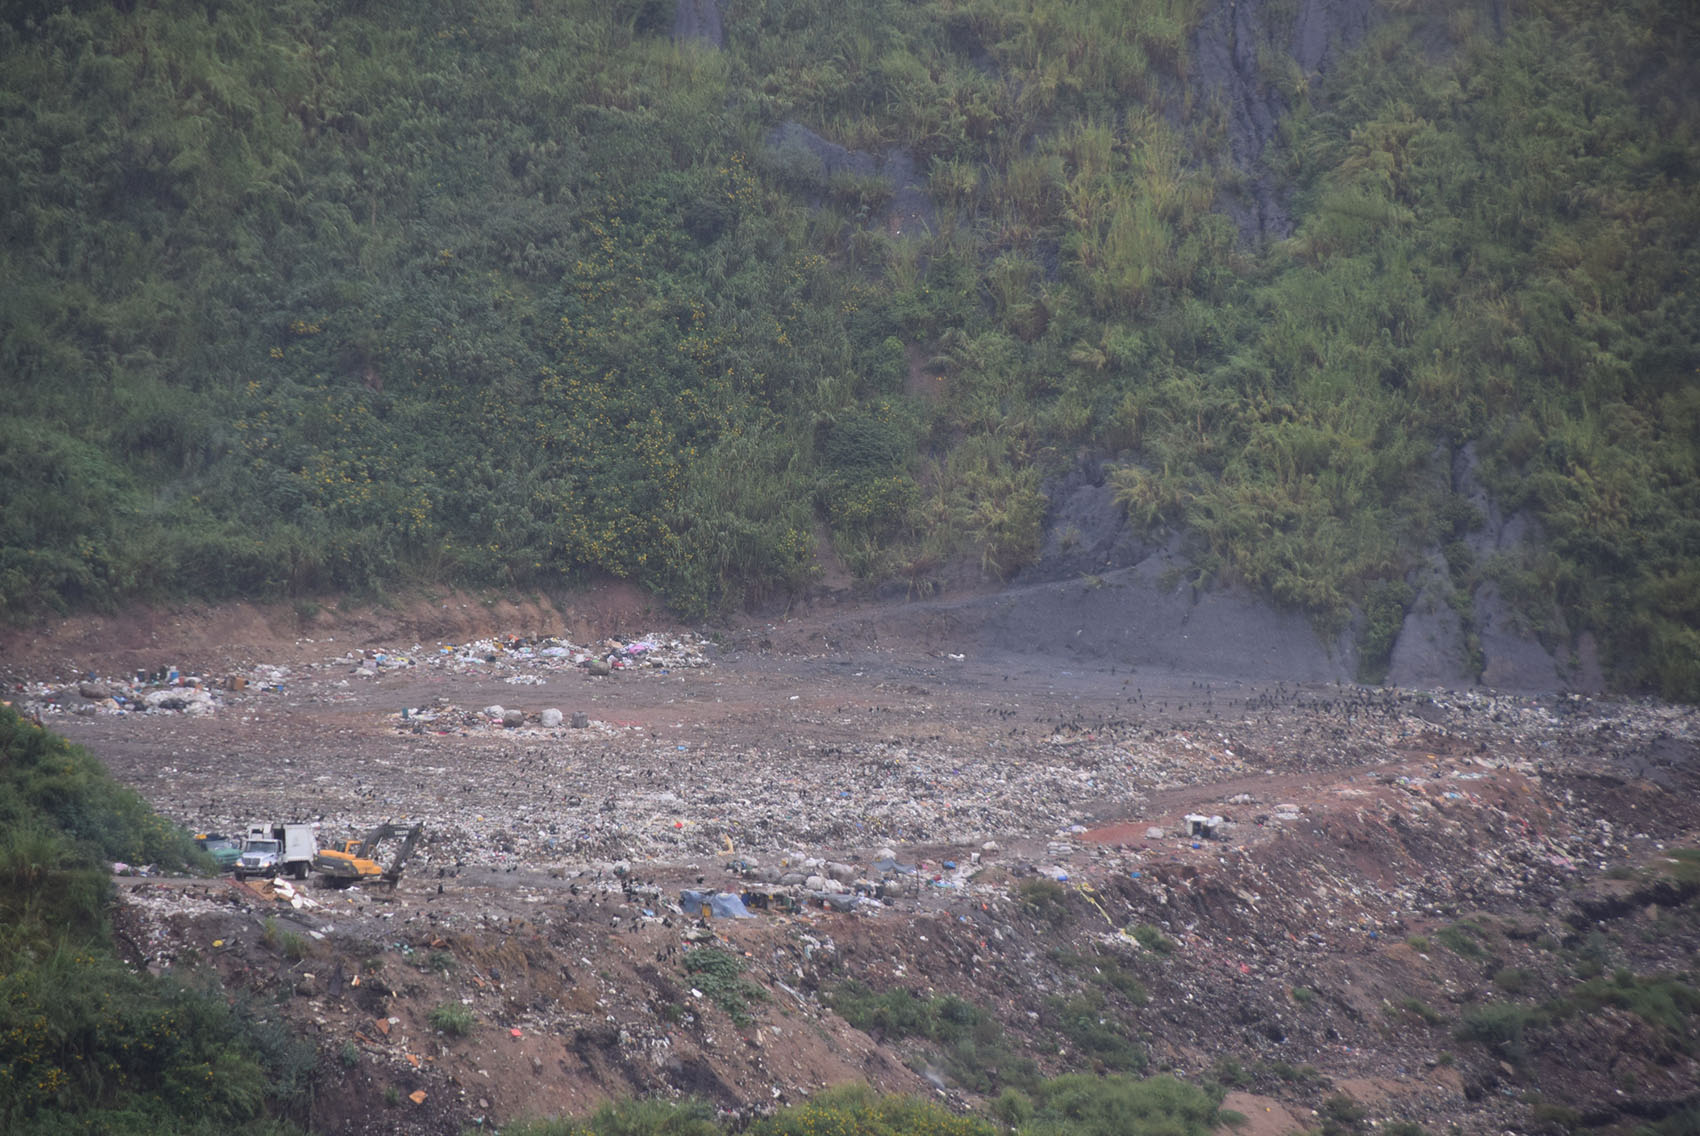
(88, 1043)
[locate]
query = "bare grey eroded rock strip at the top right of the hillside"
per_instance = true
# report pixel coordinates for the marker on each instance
(1242, 54)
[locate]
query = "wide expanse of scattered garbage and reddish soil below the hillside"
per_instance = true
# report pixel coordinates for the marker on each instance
(674, 878)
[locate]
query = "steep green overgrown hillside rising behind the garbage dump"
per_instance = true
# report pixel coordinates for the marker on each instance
(327, 295)
